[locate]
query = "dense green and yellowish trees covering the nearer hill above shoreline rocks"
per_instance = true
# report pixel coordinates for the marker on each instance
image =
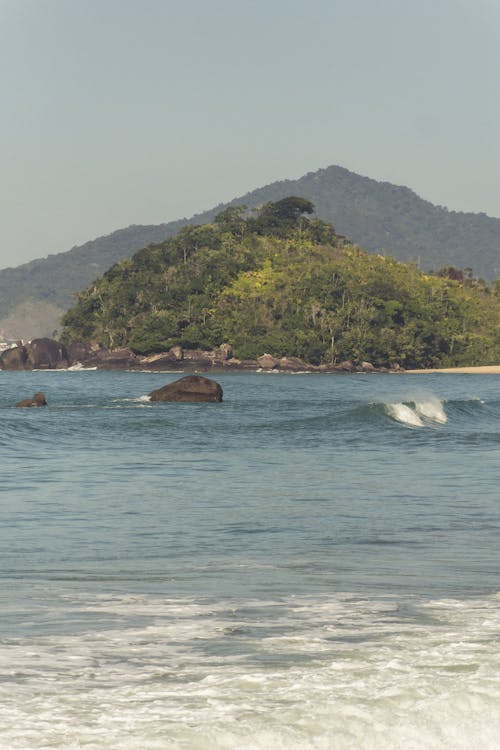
(283, 283)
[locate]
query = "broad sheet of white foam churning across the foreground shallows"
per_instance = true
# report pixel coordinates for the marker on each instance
(337, 672)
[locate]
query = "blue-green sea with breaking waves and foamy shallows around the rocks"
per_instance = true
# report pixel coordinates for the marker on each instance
(313, 563)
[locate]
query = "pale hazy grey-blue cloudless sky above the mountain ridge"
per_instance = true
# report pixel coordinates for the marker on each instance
(118, 112)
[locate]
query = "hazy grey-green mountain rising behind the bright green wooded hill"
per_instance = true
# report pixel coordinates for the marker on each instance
(379, 216)
